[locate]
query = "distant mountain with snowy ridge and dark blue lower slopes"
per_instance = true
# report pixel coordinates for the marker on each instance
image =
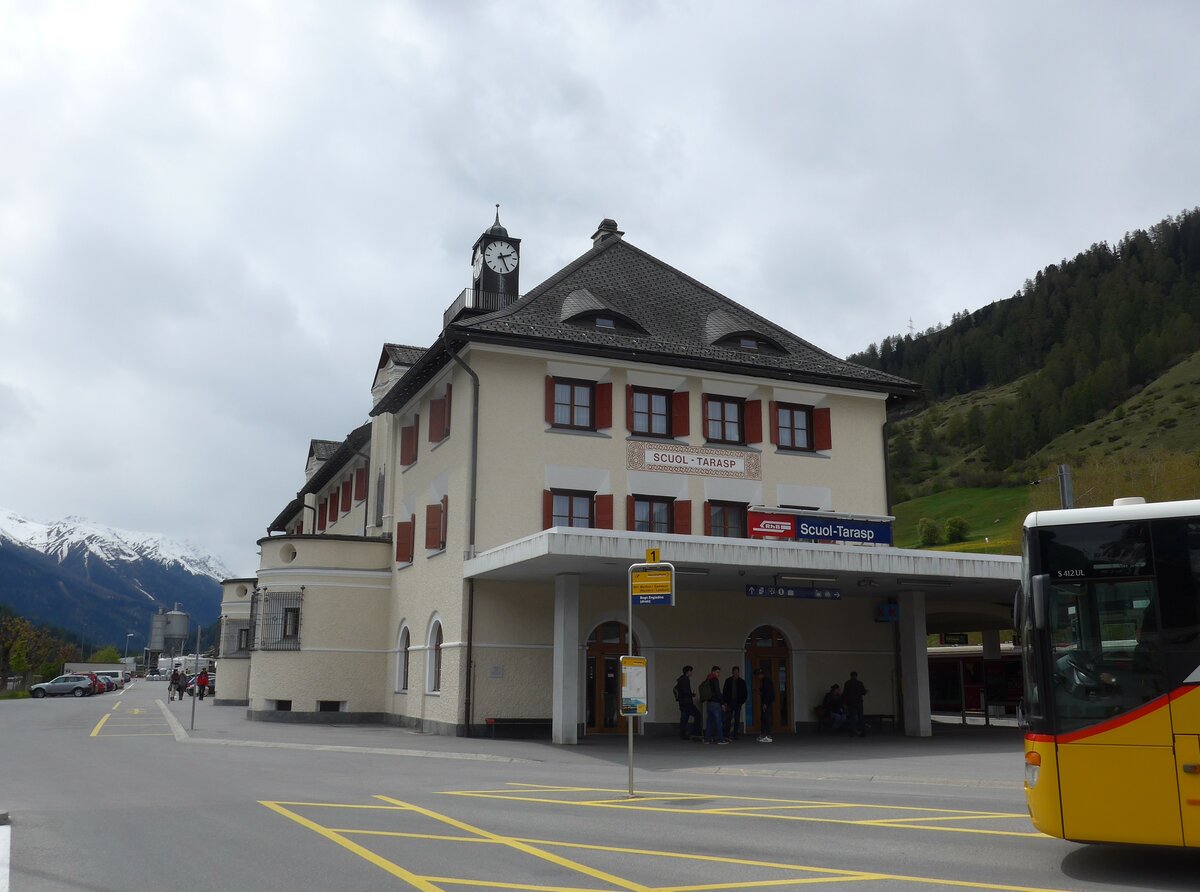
(101, 582)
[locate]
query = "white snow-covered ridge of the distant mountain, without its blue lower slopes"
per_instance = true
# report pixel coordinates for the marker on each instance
(73, 535)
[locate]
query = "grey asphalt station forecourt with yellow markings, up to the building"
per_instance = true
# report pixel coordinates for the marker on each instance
(119, 793)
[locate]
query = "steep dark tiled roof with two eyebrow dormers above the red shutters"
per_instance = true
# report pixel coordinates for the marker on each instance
(683, 322)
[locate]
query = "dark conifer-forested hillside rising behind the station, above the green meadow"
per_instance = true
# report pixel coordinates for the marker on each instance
(1081, 339)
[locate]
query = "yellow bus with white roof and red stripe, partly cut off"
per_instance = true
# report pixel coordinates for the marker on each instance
(1109, 614)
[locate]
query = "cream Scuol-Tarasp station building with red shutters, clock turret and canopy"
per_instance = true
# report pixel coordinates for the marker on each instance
(460, 564)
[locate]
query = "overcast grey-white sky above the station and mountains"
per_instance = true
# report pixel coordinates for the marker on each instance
(214, 215)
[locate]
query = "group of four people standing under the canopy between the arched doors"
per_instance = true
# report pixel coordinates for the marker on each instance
(724, 705)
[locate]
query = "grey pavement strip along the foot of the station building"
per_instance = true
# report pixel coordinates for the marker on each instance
(956, 755)
